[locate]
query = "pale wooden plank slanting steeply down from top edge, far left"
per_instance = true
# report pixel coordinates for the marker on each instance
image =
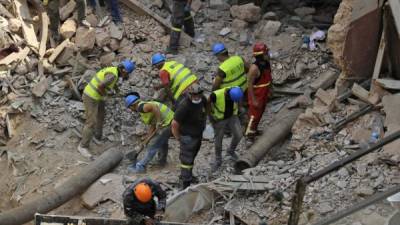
(22, 10)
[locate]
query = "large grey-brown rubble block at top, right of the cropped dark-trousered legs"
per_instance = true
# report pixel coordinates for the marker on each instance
(248, 12)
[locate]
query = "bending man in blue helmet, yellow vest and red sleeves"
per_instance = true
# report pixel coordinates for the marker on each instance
(175, 77)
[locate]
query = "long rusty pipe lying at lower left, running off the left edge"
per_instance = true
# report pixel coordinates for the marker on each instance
(73, 186)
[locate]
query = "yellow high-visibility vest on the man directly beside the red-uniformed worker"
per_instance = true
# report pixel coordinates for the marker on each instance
(235, 74)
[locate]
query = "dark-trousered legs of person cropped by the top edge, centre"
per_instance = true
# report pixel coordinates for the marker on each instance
(181, 17)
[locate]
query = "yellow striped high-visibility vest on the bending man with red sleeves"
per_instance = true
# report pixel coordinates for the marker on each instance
(180, 77)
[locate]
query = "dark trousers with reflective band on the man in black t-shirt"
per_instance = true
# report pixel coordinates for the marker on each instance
(190, 146)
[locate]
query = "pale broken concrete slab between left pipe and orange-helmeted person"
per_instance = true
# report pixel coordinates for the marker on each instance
(108, 187)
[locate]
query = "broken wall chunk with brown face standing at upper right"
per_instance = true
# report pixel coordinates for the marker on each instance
(354, 39)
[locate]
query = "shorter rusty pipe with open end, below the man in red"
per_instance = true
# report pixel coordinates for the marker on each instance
(272, 135)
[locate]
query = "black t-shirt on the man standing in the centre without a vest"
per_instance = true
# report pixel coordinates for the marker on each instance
(191, 117)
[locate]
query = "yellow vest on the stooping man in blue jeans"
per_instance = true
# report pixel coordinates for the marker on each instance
(167, 115)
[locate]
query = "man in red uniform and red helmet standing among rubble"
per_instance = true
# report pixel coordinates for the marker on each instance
(259, 81)
